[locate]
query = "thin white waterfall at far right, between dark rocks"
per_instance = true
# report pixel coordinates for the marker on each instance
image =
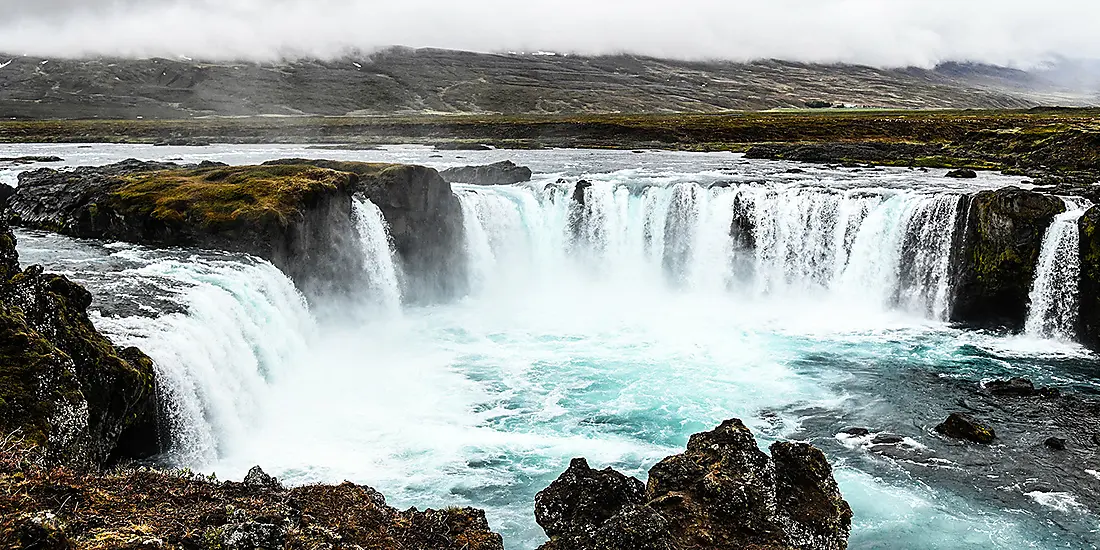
(1054, 295)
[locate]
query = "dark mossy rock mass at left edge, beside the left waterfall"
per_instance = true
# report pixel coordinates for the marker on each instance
(64, 387)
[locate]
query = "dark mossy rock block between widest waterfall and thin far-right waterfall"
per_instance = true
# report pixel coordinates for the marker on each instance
(996, 262)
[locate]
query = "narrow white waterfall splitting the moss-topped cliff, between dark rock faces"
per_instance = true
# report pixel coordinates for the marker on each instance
(380, 268)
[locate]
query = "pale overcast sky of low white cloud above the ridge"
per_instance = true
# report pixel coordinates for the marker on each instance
(876, 32)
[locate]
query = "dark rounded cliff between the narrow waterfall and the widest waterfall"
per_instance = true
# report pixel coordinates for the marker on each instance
(425, 222)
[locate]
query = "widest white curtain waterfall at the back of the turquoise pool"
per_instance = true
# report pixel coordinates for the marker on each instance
(879, 248)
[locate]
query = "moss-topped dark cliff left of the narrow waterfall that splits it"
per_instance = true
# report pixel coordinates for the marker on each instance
(296, 217)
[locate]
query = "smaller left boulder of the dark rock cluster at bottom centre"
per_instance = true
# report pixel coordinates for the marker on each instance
(577, 504)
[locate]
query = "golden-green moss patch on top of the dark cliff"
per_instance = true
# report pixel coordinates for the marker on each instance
(217, 197)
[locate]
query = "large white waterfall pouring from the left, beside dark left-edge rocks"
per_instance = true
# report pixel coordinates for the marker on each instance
(246, 327)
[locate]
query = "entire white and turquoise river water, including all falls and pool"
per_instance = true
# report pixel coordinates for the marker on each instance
(613, 331)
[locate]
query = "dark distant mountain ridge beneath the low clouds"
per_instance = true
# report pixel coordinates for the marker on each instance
(431, 82)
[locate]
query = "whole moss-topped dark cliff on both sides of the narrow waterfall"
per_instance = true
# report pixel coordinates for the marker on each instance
(295, 214)
